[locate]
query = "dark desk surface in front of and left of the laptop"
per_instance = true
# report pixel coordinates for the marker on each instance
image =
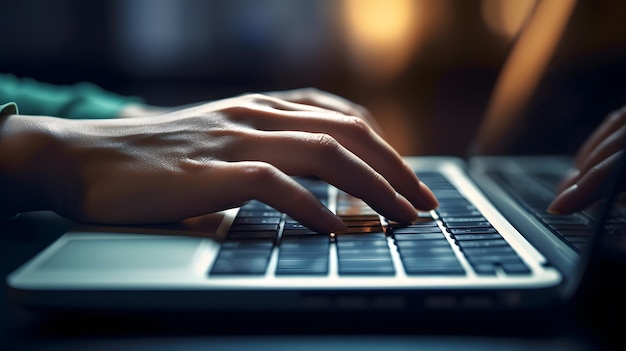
(23, 237)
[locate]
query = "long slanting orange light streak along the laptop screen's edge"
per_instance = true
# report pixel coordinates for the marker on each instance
(522, 72)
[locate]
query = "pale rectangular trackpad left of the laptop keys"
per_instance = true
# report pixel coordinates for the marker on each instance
(146, 253)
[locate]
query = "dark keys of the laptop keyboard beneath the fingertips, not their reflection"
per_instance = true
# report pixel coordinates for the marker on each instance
(432, 245)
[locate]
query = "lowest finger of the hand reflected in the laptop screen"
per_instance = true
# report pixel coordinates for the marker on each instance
(587, 189)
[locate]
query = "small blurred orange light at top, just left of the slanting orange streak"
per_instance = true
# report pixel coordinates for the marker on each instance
(506, 17)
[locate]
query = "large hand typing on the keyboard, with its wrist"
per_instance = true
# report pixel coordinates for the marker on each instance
(204, 159)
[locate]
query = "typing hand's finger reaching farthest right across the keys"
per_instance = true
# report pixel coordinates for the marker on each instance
(356, 136)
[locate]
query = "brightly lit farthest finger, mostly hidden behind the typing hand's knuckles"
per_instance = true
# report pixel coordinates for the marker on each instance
(329, 101)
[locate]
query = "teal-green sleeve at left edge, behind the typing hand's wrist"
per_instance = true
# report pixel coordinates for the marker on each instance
(78, 101)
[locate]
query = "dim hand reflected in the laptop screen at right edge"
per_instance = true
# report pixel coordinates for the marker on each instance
(596, 159)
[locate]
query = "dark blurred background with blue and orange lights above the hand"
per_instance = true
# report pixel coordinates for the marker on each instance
(539, 74)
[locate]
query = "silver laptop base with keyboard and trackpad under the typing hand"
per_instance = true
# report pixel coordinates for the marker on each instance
(480, 250)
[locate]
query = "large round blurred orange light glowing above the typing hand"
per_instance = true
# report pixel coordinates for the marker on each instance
(382, 35)
